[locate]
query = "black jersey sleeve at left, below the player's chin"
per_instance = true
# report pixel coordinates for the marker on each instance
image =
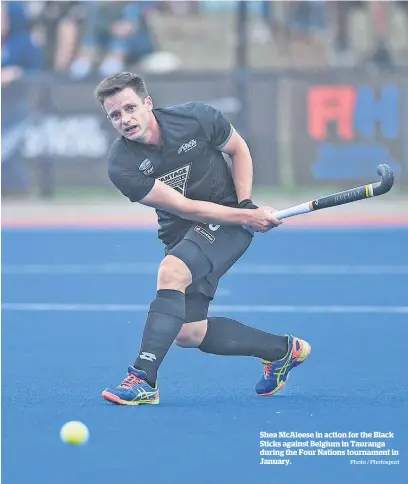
(126, 177)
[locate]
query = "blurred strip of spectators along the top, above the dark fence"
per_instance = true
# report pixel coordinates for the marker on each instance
(78, 38)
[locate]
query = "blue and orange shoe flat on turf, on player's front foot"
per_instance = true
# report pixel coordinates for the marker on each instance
(134, 390)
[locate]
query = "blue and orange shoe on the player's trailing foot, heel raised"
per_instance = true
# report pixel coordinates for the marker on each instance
(276, 372)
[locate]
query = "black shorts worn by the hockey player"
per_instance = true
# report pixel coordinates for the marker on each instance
(209, 251)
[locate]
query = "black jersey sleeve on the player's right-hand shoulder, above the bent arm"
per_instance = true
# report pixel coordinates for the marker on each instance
(216, 127)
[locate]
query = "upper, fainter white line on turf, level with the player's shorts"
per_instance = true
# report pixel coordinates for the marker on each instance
(247, 269)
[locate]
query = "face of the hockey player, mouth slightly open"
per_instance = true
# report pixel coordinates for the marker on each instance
(129, 114)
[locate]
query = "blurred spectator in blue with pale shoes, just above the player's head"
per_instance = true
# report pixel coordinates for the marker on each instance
(118, 29)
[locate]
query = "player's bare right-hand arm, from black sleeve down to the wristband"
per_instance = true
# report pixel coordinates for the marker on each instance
(242, 167)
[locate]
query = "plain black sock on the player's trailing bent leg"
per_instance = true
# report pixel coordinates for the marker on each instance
(229, 337)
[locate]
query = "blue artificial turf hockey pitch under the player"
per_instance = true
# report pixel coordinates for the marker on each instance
(55, 363)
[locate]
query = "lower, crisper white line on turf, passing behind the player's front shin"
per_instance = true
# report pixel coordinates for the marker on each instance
(221, 308)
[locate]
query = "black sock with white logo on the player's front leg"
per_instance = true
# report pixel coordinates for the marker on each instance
(164, 321)
